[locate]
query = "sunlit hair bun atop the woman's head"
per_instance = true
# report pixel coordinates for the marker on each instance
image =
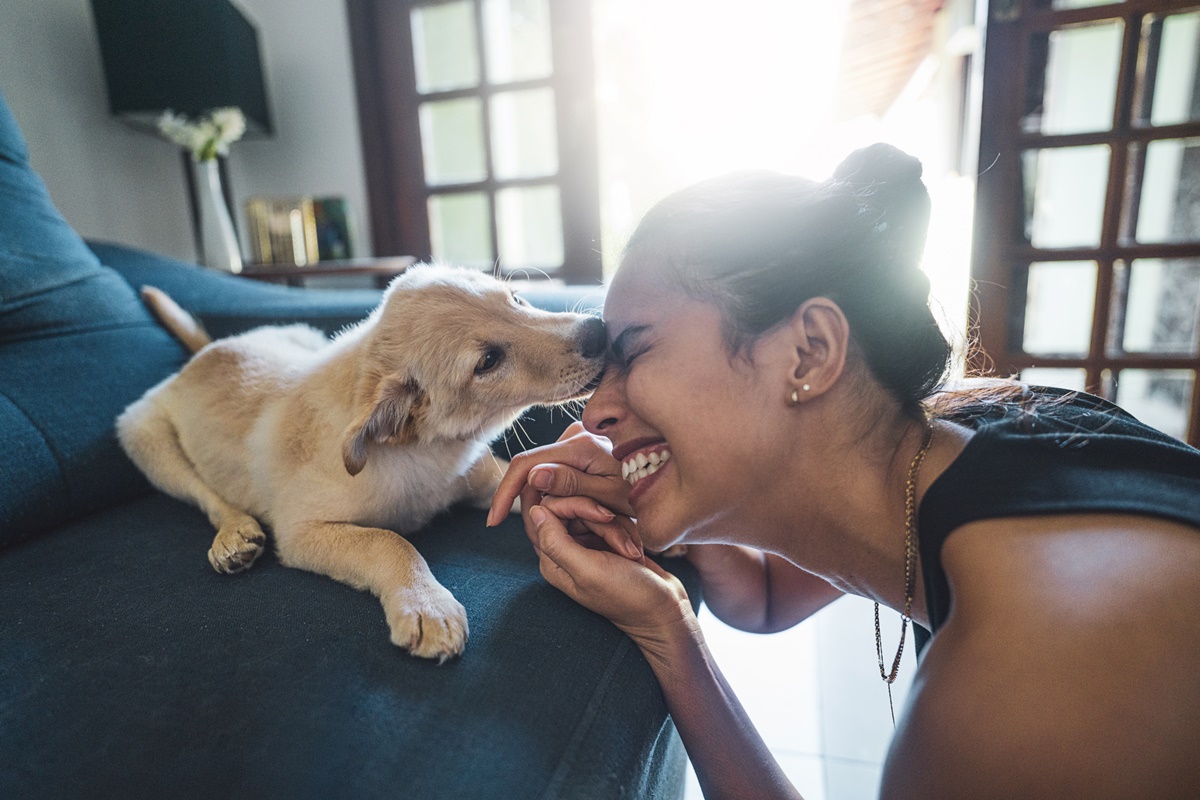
(886, 182)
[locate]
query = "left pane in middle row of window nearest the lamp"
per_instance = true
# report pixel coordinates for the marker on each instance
(453, 142)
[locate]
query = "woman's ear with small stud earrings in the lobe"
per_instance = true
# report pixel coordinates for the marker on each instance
(820, 339)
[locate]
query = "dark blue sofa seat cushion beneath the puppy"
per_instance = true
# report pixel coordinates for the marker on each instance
(131, 670)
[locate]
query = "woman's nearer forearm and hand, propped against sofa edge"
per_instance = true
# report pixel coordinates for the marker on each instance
(652, 607)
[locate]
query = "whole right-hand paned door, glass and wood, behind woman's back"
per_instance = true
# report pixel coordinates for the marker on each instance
(1088, 236)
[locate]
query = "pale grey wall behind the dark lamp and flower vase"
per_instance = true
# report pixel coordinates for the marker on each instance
(121, 185)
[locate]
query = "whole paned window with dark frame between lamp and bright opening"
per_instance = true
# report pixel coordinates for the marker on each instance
(479, 133)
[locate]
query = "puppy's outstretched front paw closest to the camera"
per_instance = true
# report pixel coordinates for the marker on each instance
(428, 622)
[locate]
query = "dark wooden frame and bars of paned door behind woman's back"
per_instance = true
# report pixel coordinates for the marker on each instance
(1001, 255)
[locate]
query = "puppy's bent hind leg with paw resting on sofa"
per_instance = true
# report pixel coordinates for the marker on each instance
(149, 440)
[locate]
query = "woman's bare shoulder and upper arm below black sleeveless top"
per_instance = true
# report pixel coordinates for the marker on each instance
(1066, 658)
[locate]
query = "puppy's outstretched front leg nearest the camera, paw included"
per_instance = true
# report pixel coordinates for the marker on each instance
(423, 616)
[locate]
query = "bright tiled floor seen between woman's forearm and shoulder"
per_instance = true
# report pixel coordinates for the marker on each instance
(815, 695)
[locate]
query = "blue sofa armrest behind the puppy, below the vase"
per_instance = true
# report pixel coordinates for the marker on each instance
(229, 305)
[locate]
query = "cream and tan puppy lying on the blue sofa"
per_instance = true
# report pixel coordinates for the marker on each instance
(339, 447)
